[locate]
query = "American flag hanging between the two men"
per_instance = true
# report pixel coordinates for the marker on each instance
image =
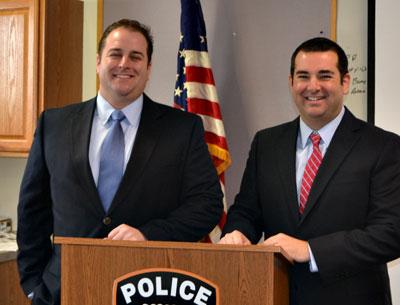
(195, 91)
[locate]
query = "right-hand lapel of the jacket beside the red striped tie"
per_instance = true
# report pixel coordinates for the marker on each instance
(342, 142)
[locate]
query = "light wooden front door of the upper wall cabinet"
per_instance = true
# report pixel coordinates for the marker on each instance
(18, 75)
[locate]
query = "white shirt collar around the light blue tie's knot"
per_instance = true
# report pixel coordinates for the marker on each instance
(132, 112)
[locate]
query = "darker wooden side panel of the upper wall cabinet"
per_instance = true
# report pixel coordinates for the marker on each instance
(61, 53)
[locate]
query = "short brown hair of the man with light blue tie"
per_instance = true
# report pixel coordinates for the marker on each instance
(132, 25)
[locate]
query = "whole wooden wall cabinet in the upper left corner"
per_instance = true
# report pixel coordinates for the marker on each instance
(40, 65)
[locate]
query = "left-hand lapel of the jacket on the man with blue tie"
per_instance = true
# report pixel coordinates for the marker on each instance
(80, 124)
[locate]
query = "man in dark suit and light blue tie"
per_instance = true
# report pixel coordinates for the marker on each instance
(169, 188)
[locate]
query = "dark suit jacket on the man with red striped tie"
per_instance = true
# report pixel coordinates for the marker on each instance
(352, 218)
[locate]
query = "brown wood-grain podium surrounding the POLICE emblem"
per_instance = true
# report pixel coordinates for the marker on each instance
(245, 275)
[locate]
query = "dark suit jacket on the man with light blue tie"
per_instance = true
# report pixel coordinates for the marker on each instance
(170, 189)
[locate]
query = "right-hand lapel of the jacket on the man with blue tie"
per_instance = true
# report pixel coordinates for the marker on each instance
(145, 142)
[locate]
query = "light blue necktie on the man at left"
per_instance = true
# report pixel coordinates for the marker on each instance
(111, 160)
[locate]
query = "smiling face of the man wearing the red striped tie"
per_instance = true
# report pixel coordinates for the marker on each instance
(316, 87)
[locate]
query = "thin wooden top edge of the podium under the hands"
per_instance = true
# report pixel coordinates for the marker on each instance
(167, 244)
